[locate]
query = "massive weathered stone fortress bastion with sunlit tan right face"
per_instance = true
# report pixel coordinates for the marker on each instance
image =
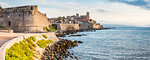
(23, 19)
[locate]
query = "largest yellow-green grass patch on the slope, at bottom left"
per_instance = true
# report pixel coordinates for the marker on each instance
(20, 51)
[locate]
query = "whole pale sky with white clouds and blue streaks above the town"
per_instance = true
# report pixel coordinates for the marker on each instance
(124, 12)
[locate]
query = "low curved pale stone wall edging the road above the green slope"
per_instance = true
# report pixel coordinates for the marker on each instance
(8, 44)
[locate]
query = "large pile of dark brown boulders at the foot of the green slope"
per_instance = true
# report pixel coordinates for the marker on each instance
(59, 50)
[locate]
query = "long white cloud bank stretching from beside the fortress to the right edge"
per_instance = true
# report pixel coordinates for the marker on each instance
(110, 12)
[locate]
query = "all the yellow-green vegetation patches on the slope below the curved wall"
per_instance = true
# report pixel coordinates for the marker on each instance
(25, 50)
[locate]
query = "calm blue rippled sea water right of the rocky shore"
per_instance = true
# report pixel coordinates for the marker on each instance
(122, 43)
